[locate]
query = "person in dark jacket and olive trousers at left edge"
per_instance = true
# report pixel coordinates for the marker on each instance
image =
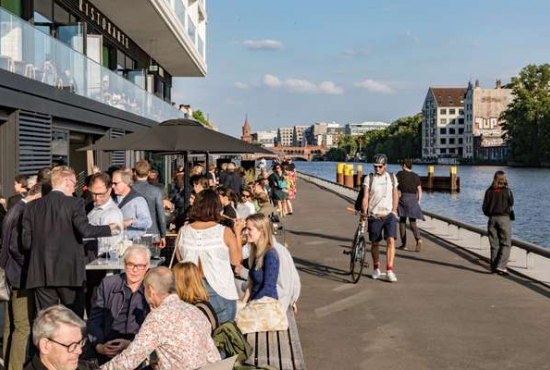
(15, 262)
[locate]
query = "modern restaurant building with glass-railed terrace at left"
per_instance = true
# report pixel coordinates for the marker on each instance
(73, 72)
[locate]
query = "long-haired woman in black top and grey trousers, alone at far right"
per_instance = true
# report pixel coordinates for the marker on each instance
(497, 205)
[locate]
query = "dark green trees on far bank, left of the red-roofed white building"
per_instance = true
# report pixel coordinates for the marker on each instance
(401, 140)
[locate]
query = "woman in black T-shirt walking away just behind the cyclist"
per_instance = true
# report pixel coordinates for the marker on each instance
(410, 190)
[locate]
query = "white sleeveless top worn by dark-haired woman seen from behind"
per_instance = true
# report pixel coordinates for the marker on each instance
(209, 246)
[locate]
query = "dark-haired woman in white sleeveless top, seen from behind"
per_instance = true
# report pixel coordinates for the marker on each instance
(214, 248)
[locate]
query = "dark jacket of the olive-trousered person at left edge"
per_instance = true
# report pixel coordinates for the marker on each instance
(13, 259)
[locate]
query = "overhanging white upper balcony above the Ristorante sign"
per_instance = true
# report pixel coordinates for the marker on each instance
(160, 28)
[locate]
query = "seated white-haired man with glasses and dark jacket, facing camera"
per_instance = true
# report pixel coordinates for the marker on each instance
(120, 306)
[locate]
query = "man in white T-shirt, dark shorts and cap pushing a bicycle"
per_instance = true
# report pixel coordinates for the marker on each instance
(380, 202)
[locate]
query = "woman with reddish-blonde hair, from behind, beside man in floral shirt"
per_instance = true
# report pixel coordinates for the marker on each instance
(191, 289)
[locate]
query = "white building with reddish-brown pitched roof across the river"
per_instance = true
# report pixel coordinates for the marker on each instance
(443, 124)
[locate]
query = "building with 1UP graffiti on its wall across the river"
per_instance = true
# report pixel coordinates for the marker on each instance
(482, 110)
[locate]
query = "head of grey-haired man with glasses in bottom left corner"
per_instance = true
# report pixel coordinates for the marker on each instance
(58, 335)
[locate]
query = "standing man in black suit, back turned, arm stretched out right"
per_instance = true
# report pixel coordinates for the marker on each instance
(53, 228)
